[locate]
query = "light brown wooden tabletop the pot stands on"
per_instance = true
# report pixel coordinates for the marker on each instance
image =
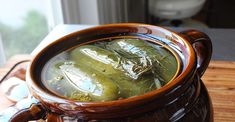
(219, 80)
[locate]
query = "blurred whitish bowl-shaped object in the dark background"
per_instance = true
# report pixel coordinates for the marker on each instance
(175, 9)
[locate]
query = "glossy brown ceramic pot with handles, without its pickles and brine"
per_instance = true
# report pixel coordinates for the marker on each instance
(185, 98)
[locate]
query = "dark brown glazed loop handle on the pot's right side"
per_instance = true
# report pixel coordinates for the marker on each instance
(202, 46)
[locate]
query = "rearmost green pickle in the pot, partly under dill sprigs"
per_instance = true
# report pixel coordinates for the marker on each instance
(163, 63)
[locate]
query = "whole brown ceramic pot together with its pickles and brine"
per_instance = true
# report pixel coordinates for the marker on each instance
(120, 72)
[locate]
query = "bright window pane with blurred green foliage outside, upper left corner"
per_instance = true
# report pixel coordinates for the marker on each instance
(23, 24)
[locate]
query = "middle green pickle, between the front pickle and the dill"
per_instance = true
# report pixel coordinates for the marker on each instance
(128, 86)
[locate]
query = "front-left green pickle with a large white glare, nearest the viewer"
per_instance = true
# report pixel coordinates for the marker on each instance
(89, 82)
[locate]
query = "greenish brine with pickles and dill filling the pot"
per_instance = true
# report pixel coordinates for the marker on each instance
(110, 70)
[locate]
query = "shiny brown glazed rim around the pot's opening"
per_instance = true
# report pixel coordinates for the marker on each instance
(40, 93)
